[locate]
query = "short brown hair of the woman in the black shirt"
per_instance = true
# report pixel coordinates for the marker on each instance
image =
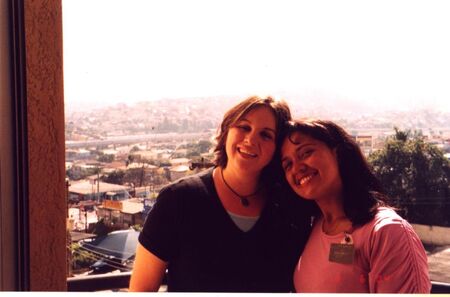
(280, 110)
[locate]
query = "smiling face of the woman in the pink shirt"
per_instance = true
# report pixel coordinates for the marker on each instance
(311, 167)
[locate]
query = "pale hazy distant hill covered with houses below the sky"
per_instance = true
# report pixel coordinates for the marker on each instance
(186, 115)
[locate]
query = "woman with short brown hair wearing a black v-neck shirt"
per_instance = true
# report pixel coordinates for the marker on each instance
(230, 228)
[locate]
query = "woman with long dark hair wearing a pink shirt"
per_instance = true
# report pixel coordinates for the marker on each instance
(358, 244)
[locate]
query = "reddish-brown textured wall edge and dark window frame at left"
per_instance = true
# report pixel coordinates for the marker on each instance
(33, 232)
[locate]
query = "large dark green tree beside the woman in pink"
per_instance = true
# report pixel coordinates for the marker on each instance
(416, 177)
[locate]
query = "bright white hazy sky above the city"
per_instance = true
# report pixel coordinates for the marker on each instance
(392, 54)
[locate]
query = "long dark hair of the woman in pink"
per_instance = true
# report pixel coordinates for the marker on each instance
(362, 191)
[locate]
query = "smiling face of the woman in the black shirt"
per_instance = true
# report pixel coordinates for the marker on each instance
(250, 143)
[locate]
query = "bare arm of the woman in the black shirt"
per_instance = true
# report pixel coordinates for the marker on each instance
(148, 271)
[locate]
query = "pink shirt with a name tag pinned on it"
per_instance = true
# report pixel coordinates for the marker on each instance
(389, 258)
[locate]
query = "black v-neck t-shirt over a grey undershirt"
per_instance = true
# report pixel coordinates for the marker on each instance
(189, 228)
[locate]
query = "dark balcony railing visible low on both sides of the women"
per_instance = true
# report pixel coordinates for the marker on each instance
(118, 281)
